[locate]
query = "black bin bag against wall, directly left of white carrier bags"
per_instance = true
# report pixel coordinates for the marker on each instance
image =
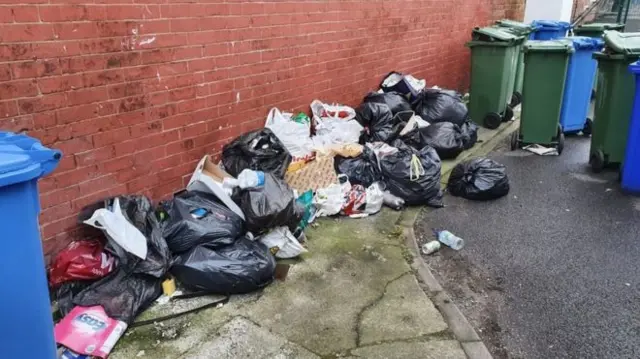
(259, 150)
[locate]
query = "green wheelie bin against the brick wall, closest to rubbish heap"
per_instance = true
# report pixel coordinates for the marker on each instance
(494, 55)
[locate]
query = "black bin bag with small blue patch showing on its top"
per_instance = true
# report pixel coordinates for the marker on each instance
(197, 217)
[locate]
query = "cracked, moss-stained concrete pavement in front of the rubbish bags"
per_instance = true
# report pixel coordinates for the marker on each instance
(354, 296)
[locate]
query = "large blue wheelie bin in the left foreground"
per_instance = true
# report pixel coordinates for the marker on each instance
(25, 309)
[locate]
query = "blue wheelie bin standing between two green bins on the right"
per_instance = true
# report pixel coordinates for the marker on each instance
(579, 84)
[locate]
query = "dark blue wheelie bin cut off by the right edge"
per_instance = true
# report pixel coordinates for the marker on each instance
(631, 166)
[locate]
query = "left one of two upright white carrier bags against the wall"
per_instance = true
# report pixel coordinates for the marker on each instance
(295, 136)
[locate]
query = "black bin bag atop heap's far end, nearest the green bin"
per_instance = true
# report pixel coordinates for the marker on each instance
(437, 105)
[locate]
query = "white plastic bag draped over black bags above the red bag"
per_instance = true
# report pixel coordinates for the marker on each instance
(125, 234)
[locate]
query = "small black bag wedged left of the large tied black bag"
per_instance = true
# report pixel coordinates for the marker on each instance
(362, 169)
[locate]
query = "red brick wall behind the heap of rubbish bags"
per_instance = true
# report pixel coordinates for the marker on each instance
(136, 91)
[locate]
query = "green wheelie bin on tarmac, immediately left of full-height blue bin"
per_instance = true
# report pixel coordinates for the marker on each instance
(545, 71)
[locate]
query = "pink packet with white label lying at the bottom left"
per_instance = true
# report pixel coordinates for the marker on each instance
(88, 330)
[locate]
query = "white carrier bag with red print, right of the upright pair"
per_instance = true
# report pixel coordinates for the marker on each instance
(334, 124)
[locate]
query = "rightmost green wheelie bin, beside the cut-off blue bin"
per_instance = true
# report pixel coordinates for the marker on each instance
(614, 99)
